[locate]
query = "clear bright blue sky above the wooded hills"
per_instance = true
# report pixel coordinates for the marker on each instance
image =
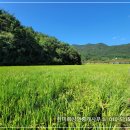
(77, 23)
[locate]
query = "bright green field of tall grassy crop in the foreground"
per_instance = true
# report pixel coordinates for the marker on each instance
(36, 96)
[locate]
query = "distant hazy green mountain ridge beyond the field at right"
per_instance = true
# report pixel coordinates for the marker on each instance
(103, 52)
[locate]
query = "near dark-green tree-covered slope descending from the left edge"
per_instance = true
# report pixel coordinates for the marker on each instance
(20, 45)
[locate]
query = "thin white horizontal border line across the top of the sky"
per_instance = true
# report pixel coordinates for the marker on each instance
(64, 2)
